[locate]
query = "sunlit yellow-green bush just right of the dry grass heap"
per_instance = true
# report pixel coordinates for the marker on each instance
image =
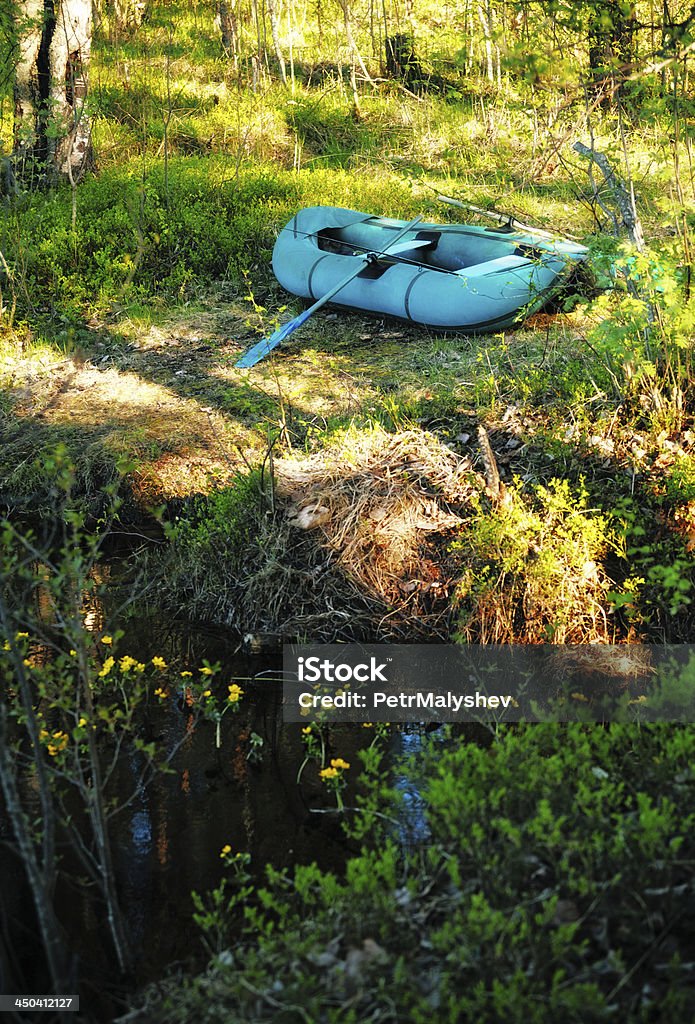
(533, 570)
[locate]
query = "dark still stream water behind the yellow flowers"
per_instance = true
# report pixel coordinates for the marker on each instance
(168, 837)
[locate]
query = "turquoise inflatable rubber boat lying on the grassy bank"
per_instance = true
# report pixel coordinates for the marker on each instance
(449, 277)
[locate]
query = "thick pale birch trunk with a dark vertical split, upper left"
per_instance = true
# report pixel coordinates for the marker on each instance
(53, 132)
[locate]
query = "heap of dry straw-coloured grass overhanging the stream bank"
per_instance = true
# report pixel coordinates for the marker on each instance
(378, 503)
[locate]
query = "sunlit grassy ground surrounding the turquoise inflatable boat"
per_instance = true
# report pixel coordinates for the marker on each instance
(129, 310)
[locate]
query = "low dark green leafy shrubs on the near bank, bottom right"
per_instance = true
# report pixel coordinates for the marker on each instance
(554, 884)
